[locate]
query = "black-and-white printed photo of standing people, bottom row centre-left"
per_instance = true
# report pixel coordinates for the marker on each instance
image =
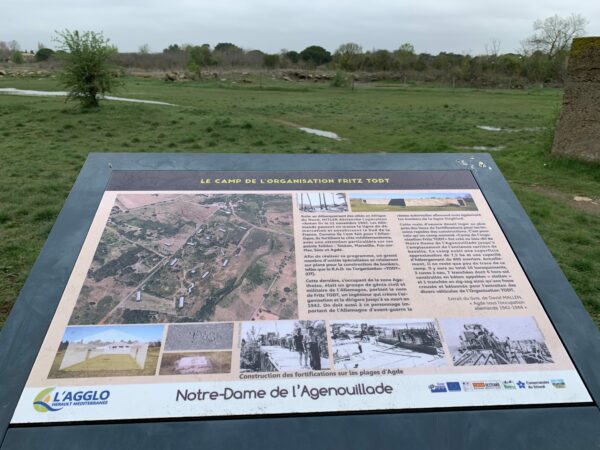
(283, 346)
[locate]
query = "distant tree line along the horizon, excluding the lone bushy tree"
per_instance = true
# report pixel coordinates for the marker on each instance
(541, 59)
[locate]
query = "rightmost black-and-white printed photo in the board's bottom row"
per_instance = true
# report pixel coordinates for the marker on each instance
(491, 341)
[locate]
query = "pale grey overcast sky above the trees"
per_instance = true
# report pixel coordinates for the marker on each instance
(461, 26)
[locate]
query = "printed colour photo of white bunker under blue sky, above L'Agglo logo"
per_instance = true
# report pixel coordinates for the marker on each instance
(104, 351)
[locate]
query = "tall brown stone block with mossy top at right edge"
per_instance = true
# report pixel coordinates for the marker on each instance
(577, 132)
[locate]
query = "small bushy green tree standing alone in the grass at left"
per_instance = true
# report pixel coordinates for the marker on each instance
(87, 73)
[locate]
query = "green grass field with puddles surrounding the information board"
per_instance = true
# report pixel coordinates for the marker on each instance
(44, 142)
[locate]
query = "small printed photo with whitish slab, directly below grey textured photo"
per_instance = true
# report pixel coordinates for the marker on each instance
(195, 363)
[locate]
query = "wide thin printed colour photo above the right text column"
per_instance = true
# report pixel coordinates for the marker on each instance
(410, 201)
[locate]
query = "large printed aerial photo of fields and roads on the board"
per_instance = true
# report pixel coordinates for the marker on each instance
(192, 258)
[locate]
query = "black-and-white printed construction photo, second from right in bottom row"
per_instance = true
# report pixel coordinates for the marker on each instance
(377, 344)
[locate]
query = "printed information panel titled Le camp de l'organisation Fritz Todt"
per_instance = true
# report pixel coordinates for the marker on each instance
(246, 293)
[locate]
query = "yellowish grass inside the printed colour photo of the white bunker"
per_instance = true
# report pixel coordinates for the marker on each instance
(106, 366)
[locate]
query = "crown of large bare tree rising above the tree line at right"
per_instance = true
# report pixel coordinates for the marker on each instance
(554, 34)
